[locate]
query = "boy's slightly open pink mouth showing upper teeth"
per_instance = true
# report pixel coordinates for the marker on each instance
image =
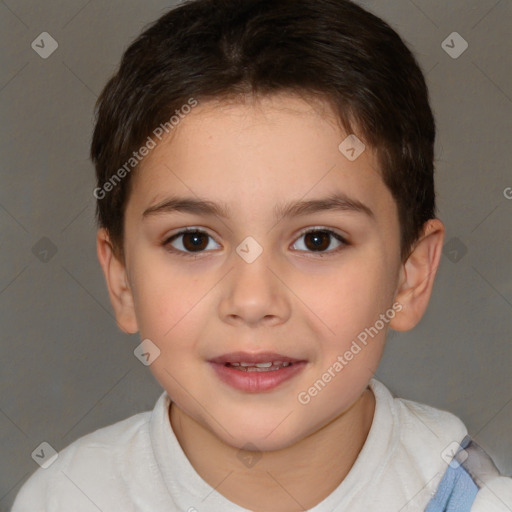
(256, 372)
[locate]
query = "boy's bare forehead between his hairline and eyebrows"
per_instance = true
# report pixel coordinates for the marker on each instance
(252, 154)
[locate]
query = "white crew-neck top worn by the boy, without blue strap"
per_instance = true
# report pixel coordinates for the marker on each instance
(137, 465)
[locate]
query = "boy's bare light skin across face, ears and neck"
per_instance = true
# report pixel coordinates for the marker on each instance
(292, 299)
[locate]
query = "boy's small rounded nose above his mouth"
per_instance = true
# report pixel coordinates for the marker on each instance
(254, 294)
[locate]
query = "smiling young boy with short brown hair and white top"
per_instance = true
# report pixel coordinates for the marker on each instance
(237, 136)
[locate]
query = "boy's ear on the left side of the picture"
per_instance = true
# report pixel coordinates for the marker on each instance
(117, 284)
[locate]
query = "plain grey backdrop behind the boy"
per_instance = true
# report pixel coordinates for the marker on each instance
(67, 370)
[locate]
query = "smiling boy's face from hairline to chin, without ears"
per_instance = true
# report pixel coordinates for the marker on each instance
(291, 300)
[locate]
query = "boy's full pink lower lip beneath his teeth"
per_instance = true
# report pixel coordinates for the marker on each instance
(256, 382)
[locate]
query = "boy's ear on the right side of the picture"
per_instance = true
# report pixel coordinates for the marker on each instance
(417, 276)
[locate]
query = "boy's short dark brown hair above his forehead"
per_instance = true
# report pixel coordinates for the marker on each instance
(329, 49)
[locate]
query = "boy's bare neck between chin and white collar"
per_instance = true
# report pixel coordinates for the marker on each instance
(295, 478)
